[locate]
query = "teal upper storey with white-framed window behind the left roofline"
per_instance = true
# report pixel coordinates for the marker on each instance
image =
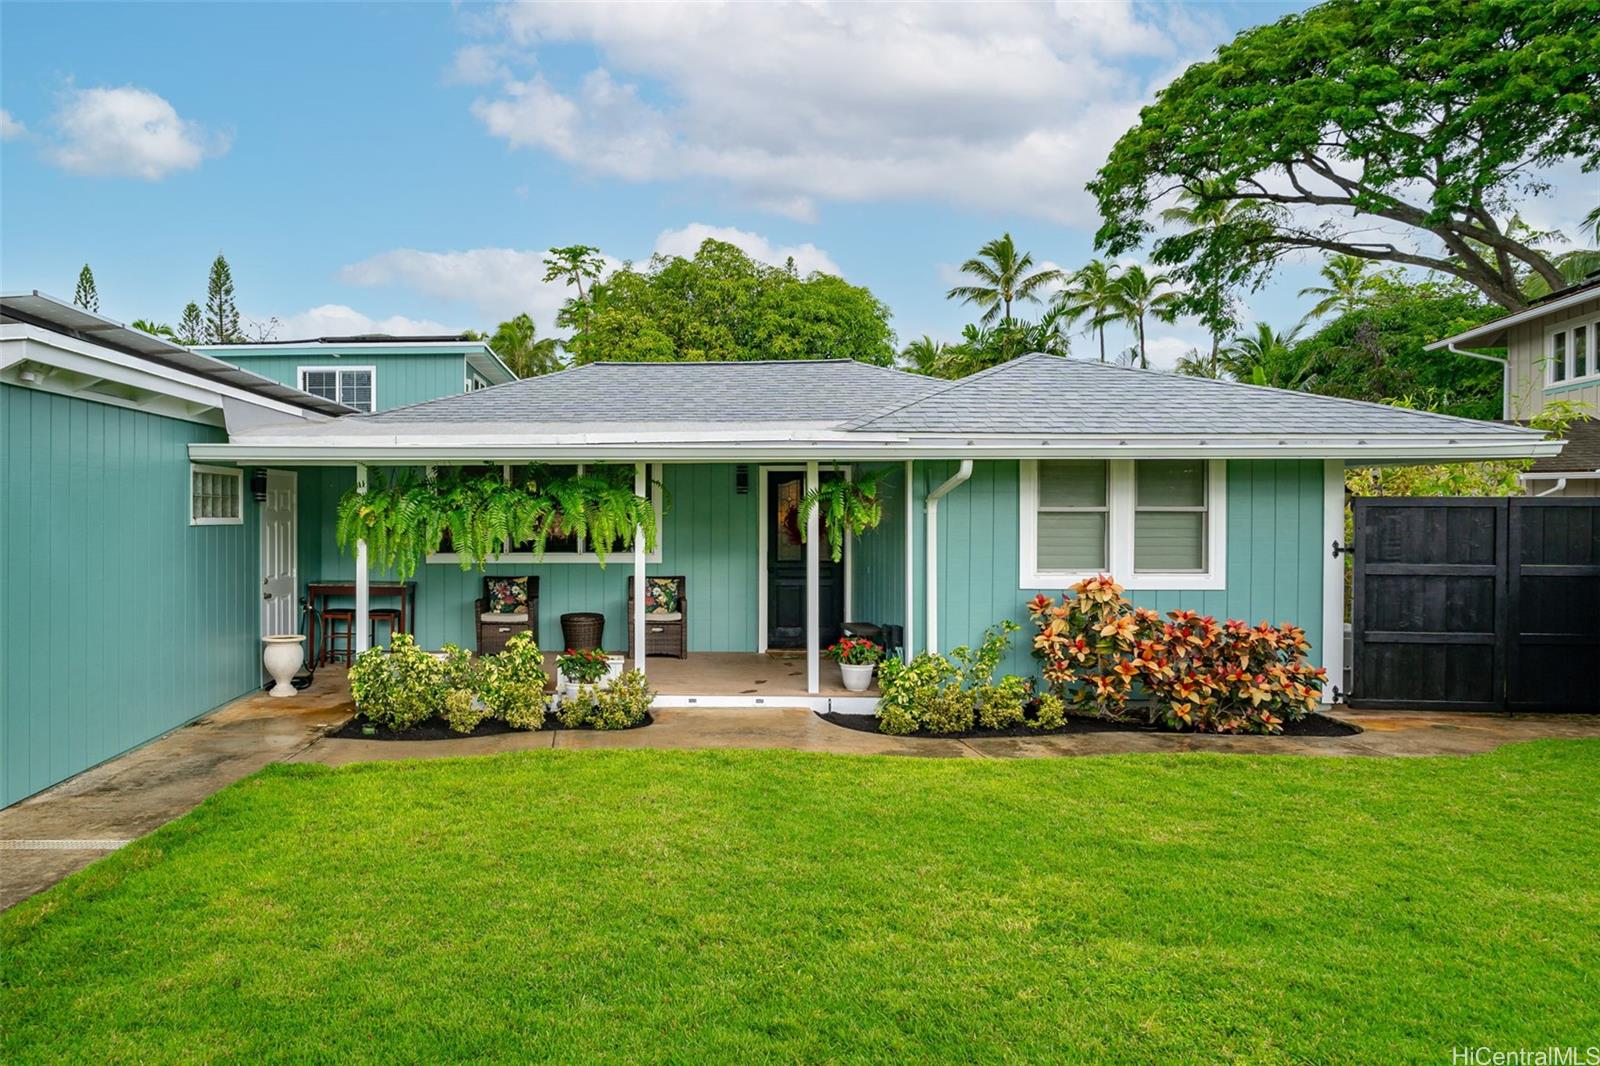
(372, 372)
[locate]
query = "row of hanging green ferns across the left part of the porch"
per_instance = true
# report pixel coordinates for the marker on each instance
(406, 518)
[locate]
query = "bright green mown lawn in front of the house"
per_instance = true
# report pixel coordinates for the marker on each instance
(687, 907)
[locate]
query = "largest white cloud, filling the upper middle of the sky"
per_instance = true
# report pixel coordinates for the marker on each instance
(794, 103)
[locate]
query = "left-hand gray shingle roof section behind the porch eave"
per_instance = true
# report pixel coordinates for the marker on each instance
(825, 391)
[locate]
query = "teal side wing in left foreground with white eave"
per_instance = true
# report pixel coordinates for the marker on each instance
(130, 588)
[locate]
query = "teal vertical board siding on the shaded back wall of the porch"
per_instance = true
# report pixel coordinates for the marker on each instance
(708, 535)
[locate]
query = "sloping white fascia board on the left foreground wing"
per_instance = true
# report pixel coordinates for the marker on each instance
(26, 343)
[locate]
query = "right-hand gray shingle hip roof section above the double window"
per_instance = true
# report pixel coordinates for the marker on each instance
(1050, 396)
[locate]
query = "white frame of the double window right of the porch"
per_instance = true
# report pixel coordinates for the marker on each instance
(1121, 500)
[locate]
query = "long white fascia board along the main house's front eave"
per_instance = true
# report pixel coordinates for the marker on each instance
(1367, 451)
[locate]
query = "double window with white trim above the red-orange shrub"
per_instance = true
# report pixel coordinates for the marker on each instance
(1153, 524)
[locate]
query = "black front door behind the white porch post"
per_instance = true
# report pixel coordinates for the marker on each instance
(786, 569)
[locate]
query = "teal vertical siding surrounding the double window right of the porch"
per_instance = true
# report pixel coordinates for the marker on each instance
(1274, 555)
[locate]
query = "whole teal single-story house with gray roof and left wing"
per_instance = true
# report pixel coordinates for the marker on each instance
(167, 510)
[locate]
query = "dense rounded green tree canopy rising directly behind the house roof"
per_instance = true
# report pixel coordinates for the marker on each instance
(726, 307)
